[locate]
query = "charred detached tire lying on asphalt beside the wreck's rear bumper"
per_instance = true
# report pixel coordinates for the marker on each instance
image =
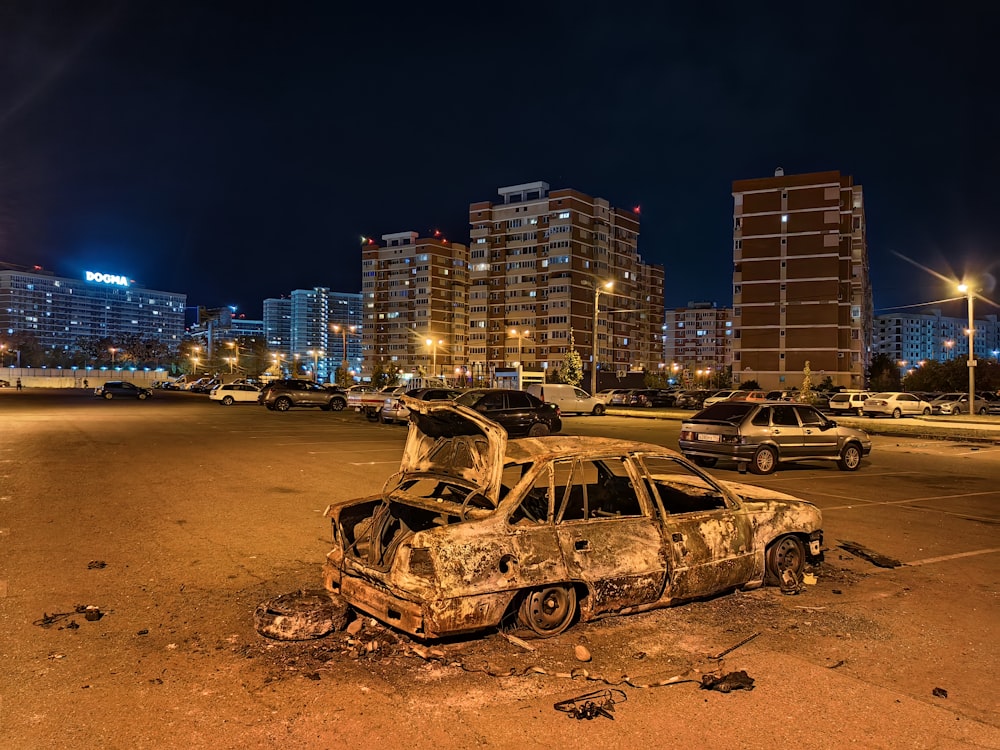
(301, 616)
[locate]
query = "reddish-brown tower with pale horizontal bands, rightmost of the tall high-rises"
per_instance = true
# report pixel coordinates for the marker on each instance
(801, 288)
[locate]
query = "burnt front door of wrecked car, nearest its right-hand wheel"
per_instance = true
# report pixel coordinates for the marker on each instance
(709, 537)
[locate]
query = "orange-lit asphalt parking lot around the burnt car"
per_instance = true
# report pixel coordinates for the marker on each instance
(199, 512)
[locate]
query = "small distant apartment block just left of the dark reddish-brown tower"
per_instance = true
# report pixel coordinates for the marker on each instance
(697, 341)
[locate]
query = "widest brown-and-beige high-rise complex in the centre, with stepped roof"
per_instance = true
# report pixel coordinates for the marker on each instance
(540, 263)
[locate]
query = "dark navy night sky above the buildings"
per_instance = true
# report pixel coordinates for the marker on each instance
(236, 151)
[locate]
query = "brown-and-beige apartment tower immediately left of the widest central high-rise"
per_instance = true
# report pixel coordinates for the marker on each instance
(415, 304)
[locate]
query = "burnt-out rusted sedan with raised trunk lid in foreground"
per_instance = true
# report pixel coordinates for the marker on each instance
(476, 531)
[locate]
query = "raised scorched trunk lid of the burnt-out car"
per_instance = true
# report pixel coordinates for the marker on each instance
(456, 441)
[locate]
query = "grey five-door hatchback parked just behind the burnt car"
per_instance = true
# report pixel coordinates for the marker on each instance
(762, 435)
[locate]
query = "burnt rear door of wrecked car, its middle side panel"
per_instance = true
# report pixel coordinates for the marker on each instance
(607, 533)
